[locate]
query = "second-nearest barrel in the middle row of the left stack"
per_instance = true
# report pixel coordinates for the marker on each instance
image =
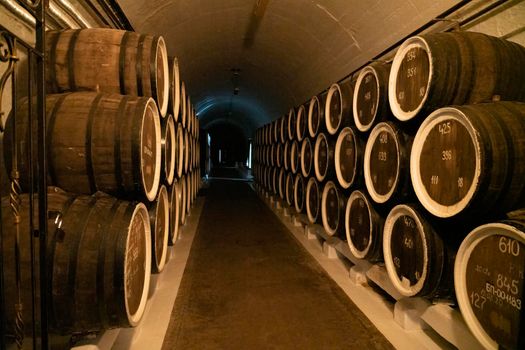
(169, 150)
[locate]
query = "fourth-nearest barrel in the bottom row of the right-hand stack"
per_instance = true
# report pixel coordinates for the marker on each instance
(332, 207)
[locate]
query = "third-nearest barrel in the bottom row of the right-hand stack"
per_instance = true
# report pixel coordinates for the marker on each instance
(364, 228)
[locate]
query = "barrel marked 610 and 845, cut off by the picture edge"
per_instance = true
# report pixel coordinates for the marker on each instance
(489, 283)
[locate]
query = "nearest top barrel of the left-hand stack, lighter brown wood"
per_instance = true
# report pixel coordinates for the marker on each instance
(108, 60)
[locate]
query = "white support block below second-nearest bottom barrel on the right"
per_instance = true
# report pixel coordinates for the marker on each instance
(408, 311)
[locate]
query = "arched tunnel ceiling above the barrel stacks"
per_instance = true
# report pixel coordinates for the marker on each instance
(277, 52)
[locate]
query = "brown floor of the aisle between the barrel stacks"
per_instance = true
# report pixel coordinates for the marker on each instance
(249, 285)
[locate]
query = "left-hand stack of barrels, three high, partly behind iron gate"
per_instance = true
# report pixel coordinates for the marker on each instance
(122, 156)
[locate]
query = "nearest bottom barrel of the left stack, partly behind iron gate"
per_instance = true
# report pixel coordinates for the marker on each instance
(99, 261)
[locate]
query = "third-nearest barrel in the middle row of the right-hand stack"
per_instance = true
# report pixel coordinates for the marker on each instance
(348, 158)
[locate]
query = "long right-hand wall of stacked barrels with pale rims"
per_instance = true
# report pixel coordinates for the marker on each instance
(416, 164)
